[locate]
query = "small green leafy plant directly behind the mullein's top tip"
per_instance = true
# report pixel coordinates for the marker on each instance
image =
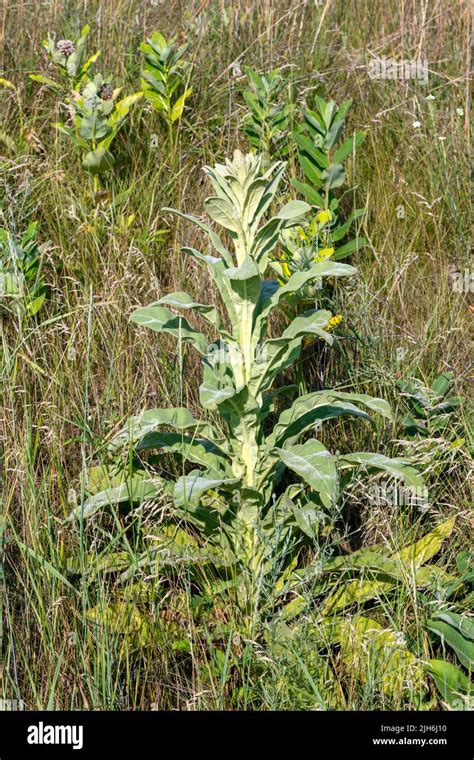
(267, 122)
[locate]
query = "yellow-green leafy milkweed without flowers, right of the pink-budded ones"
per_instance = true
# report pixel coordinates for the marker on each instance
(165, 77)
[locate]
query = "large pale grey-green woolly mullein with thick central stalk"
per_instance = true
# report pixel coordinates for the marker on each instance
(255, 484)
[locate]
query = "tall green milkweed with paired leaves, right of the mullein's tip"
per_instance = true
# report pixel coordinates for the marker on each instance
(321, 156)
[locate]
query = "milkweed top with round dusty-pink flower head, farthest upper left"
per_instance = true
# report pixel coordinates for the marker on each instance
(70, 60)
